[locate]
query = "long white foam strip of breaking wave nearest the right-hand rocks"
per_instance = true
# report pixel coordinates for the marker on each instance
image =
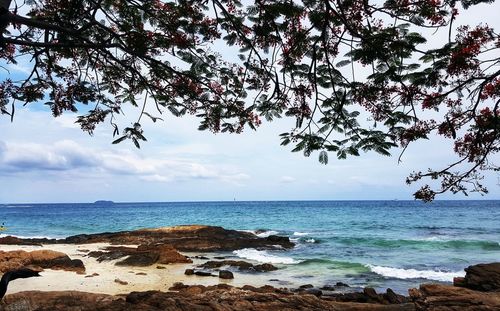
(444, 276)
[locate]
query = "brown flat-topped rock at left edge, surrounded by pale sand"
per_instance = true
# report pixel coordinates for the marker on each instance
(45, 259)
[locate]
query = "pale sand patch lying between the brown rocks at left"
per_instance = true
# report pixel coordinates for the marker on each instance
(155, 279)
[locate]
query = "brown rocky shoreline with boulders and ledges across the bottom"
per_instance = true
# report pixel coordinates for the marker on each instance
(161, 249)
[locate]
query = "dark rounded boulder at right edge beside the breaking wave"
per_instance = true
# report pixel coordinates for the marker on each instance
(483, 277)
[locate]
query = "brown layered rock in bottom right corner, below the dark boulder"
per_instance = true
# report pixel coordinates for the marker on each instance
(451, 298)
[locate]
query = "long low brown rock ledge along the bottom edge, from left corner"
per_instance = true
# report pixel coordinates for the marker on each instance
(196, 298)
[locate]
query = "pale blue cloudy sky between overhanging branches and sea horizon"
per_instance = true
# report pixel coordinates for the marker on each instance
(45, 159)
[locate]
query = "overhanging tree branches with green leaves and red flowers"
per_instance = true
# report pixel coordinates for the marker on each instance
(356, 75)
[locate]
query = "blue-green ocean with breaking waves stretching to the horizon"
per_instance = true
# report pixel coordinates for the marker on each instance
(381, 244)
